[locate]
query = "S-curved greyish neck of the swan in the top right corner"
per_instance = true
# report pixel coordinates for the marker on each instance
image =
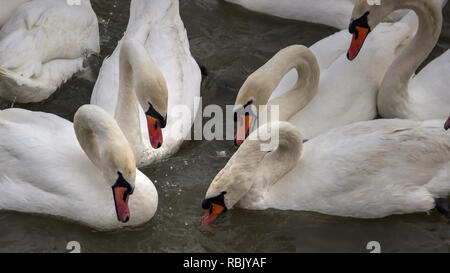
(395, 83)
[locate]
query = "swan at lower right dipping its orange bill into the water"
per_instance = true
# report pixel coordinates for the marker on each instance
(369, 169)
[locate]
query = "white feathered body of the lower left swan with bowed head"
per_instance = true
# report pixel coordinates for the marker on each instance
(45, 171)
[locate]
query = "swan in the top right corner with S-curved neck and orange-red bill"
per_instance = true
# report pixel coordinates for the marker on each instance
(403, 94)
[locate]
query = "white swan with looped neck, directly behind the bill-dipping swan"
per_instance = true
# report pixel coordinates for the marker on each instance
(318, 88)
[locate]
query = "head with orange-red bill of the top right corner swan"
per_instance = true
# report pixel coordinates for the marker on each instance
(365, 17)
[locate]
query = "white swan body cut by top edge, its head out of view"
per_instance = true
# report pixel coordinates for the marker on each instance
(335, 13)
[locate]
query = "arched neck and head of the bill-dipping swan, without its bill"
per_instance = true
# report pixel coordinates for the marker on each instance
(252, 169)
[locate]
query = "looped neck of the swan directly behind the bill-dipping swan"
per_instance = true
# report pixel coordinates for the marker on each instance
(265, 80)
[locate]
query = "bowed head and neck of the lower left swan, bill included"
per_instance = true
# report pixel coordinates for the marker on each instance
(105, 145)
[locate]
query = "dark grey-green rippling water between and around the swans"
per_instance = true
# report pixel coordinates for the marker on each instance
(231, 42)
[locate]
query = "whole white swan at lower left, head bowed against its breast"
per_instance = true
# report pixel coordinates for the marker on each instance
(84, 172)
